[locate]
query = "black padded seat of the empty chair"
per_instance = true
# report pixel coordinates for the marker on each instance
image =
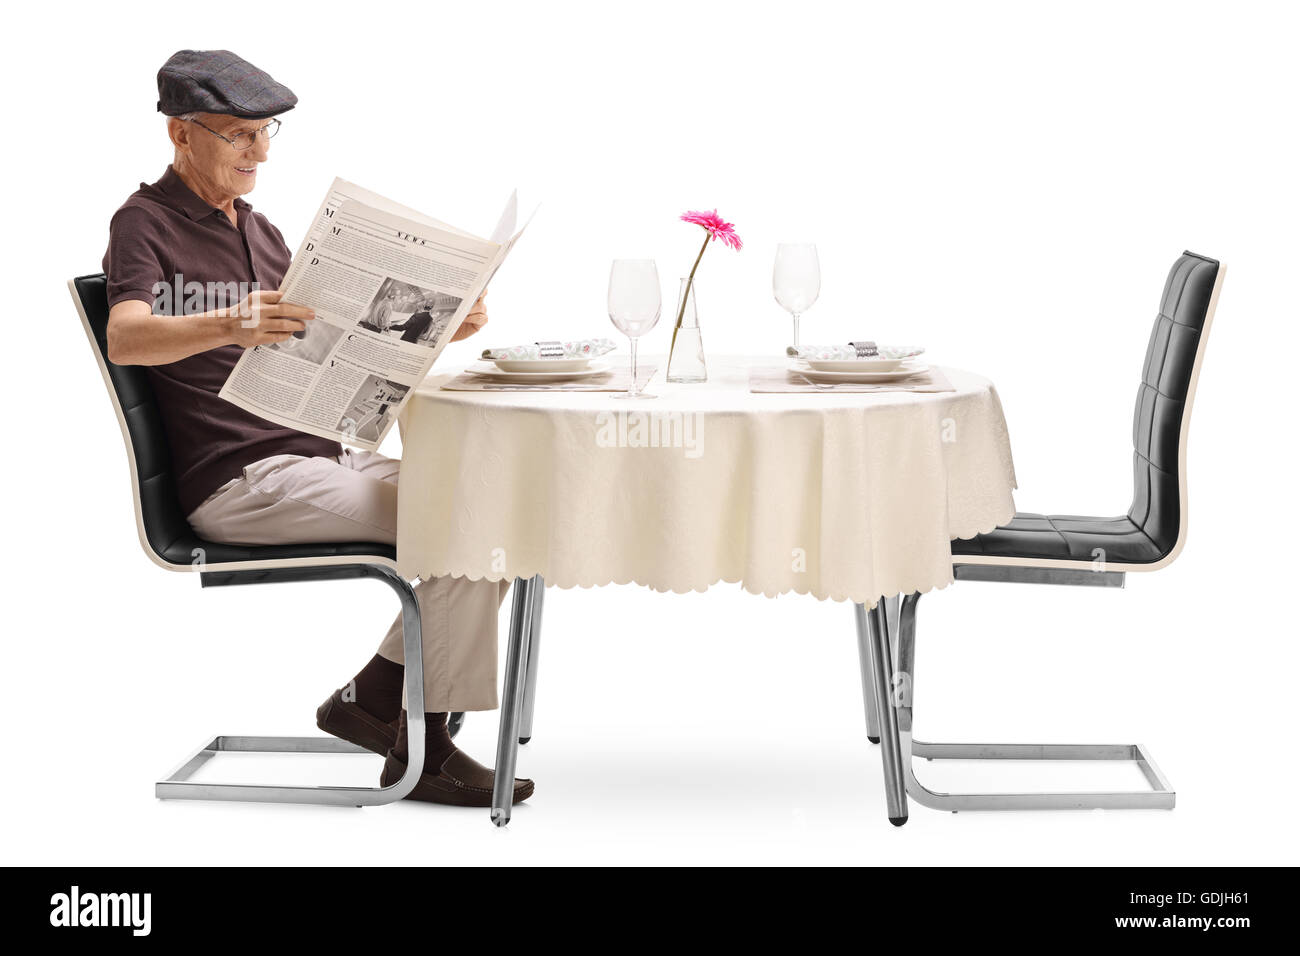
(1064, 538)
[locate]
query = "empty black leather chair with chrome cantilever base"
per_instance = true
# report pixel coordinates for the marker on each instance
(1067, 550)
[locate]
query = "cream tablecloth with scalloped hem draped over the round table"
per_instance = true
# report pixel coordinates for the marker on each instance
(842, 496)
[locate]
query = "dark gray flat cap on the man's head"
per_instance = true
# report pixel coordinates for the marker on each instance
(216, 81)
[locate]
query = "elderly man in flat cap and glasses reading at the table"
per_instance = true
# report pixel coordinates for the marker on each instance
(242, 479)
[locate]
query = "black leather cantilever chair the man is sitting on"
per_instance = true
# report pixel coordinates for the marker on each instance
(171, 543)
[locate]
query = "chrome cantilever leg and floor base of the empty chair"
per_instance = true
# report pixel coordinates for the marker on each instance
(1160, 797)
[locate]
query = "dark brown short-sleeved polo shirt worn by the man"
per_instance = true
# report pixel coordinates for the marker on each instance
(167, 237)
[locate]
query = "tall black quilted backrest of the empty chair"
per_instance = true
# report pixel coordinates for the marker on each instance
(1164, 406)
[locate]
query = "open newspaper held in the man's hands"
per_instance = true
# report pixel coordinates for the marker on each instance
(389, 287)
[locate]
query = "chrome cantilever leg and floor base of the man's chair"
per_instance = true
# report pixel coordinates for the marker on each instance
(179, 786)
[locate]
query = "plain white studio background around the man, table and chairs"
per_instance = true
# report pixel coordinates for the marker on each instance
(1006, 184)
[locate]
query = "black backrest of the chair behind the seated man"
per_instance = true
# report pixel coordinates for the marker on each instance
(166, 534)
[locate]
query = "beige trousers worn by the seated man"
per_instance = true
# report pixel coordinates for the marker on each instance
(294, 500)
